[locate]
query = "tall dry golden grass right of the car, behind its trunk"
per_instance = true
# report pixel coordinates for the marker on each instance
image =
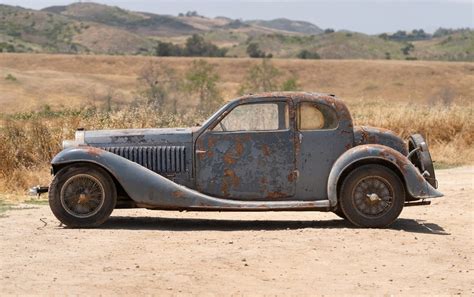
(449, 130)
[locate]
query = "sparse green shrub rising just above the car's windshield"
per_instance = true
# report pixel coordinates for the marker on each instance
(201, 79)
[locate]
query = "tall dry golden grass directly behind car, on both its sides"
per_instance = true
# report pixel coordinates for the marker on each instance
(28, 141)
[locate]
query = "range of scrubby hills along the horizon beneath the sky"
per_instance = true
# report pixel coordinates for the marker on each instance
(103, 29)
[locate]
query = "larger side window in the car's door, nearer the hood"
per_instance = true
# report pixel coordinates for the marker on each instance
(256, 117)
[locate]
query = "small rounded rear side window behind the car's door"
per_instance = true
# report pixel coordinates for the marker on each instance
(312, 116)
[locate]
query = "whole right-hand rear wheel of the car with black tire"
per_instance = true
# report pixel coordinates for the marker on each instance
(372, 196)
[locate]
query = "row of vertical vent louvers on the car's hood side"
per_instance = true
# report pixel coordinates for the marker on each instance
(160, 159)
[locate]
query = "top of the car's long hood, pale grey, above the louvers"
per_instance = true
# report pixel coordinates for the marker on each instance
(132, 137)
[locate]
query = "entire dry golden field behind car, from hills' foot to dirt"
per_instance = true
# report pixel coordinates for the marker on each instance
(434, 98)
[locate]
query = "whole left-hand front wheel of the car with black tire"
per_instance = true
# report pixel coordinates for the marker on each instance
(82, 196)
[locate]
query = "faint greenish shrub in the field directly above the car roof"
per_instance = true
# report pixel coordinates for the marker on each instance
(260, 78)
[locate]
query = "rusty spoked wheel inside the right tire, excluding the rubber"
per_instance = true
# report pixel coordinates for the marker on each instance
(372, 196)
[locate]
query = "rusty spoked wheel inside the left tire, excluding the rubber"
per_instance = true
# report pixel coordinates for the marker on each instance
(82, 195)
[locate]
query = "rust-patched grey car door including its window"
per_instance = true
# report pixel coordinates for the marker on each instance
(248, 154)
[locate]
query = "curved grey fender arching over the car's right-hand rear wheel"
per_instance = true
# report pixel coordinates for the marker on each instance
(415, 183)
